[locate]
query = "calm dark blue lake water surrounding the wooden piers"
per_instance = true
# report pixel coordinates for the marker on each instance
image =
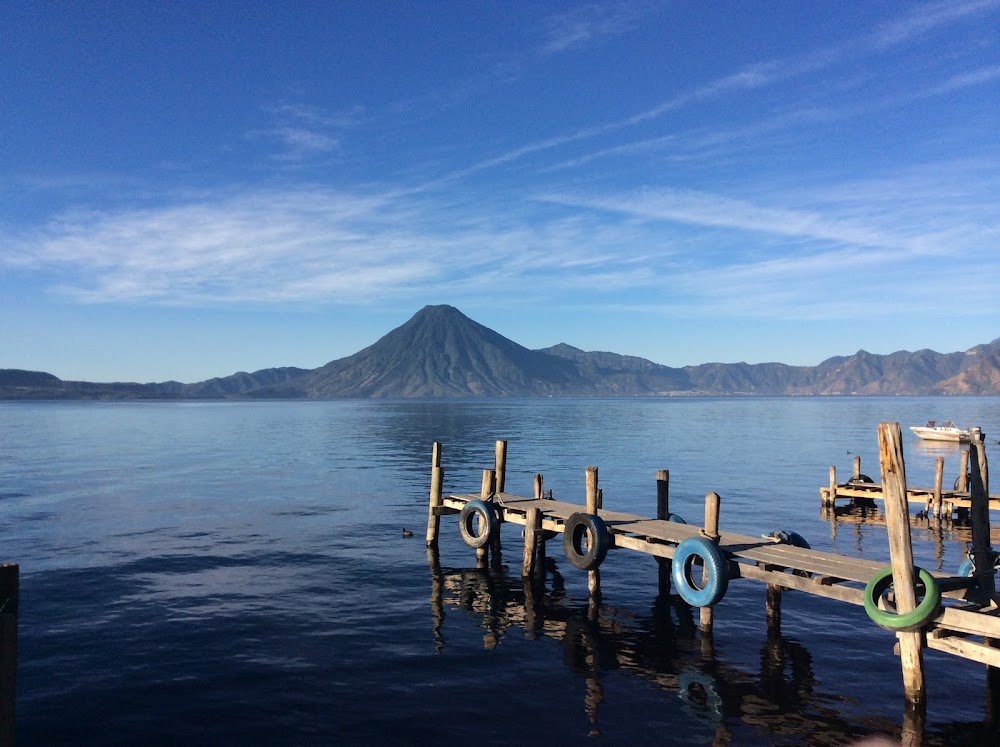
(236, 573)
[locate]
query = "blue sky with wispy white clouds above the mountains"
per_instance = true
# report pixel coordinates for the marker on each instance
(191, 189)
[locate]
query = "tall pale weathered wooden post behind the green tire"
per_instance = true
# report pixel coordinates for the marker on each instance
(897, 516)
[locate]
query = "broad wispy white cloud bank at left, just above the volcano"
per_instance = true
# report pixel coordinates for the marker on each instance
(304, 246)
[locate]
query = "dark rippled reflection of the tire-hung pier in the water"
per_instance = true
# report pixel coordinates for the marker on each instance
(662, 648)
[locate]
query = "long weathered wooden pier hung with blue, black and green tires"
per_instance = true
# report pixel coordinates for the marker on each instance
(953, 613)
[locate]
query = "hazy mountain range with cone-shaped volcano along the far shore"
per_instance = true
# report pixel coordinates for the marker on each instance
(440, 352)
